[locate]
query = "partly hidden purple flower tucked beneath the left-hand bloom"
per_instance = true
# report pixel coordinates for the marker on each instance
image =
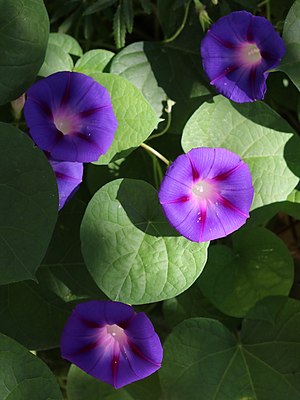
(68, 178)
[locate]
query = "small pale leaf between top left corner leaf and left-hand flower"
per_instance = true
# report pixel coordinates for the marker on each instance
(56, 60)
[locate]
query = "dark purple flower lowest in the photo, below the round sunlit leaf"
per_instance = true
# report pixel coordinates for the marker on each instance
(112, 343)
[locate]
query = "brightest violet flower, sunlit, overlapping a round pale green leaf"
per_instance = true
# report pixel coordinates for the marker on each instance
(207, 193)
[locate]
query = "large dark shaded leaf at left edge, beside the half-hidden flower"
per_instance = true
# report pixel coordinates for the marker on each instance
(28, 205)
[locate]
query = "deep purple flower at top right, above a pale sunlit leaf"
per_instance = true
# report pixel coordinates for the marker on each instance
(237, 53)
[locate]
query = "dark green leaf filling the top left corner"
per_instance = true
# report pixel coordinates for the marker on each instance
(23, 41)
